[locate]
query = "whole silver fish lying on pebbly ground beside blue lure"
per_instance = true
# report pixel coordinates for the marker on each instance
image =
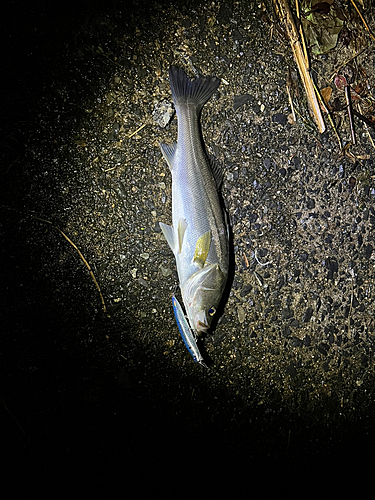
(199, 233)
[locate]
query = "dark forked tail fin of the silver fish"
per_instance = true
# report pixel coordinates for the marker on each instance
(194, 92)
